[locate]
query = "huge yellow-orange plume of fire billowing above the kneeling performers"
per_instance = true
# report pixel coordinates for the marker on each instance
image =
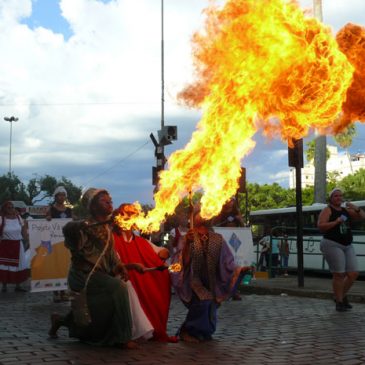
(259, 64)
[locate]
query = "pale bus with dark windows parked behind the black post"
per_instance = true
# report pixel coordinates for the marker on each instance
(280, 221)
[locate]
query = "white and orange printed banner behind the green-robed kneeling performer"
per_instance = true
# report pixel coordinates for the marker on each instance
(50, 259)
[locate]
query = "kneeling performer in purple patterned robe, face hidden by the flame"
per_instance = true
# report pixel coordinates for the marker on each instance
(208, 277)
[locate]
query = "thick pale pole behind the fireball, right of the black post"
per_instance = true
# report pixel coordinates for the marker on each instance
(320, 153)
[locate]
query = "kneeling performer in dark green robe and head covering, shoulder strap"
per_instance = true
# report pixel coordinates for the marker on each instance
(116, 316)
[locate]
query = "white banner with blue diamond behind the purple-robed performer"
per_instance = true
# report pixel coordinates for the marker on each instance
(240, 242)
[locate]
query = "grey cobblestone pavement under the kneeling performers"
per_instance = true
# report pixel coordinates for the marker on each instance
(260, 329)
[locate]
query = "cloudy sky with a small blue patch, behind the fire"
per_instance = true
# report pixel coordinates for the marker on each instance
(84, 79)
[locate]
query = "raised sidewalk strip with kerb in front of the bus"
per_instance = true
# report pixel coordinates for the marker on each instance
(314, 287)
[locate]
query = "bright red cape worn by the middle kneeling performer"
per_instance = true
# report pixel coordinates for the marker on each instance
(153, 288)
